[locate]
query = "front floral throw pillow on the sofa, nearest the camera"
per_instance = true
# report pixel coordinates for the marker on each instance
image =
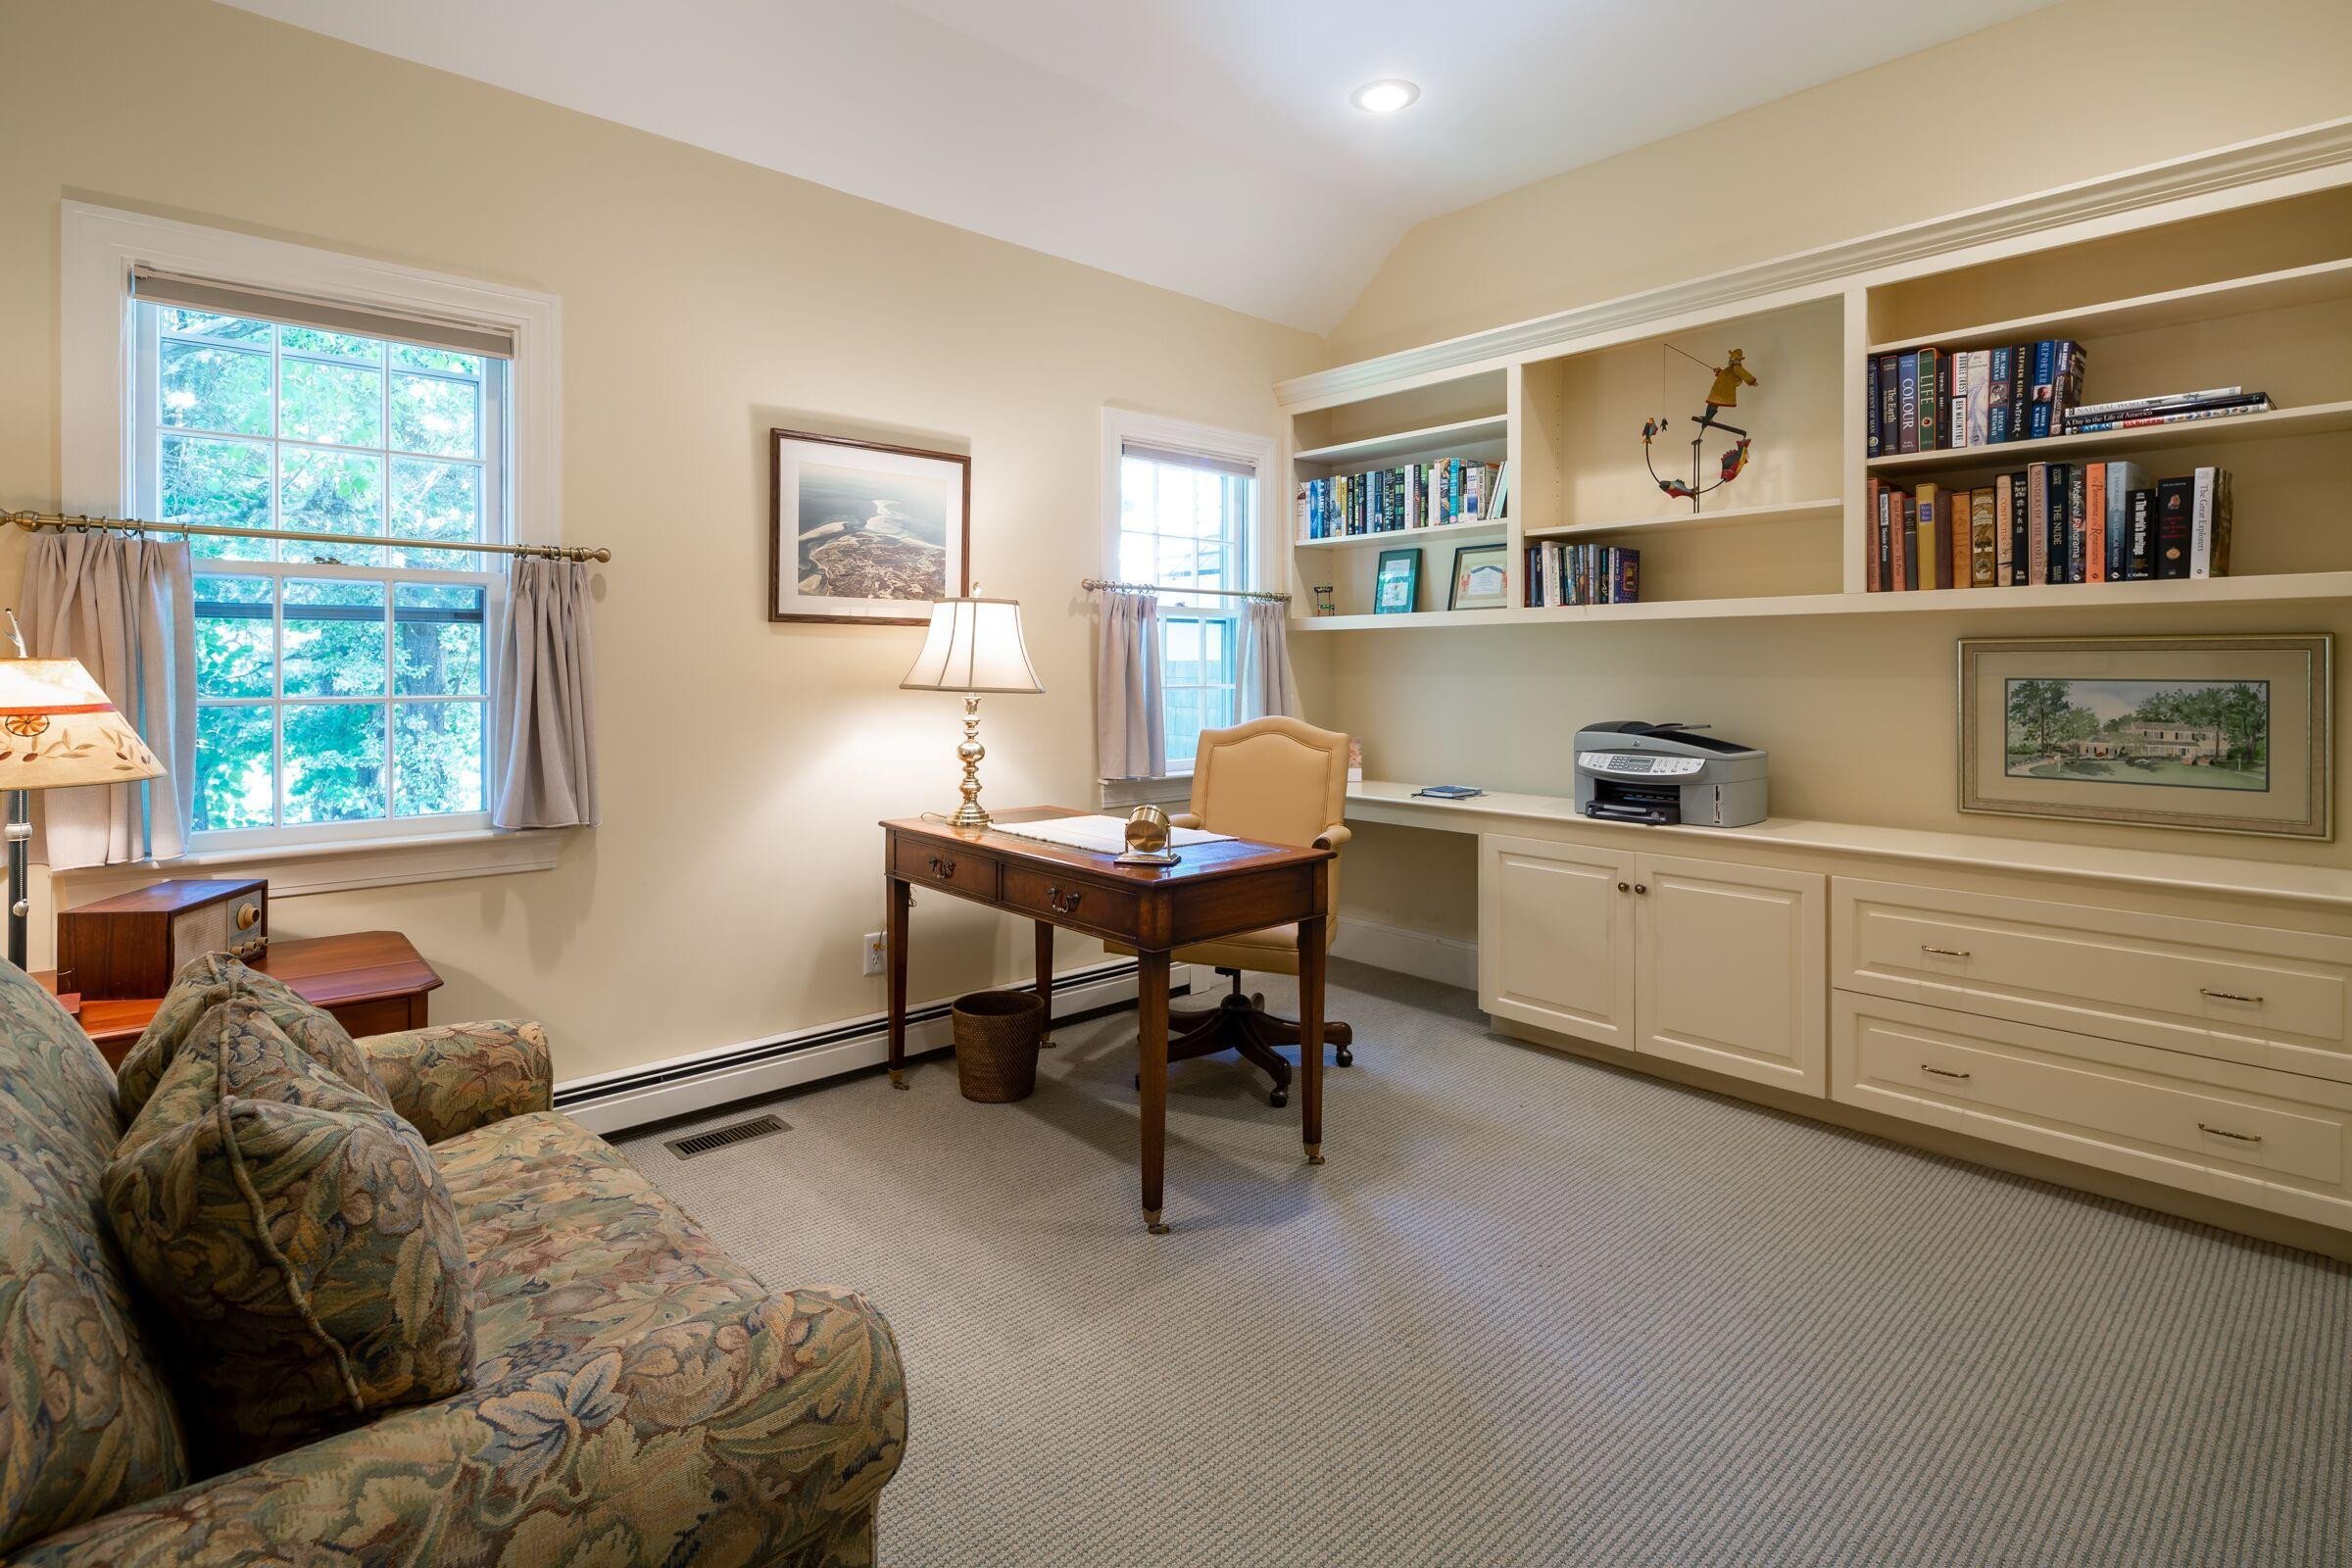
(298, 1238)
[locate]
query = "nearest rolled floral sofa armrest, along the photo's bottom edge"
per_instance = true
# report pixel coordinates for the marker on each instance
(756, 1433)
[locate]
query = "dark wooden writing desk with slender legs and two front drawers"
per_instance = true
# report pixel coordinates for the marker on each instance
(1215, 892)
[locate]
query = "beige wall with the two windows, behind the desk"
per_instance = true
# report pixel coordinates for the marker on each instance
(702, 302)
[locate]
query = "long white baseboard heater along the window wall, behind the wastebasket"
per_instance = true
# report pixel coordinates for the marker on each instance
(704, 1080)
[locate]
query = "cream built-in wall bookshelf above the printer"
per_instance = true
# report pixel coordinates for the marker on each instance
(2231, 286)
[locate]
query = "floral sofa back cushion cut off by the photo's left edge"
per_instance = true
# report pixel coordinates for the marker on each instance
(86, 1414)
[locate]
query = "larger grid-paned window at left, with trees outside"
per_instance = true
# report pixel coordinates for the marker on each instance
(342, 690)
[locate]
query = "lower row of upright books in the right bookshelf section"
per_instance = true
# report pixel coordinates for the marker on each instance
(2050, 523)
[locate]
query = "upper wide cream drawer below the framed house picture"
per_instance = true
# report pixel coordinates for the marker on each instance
(2212, 989)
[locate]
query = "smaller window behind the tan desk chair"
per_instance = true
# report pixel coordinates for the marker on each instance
(1184, 525)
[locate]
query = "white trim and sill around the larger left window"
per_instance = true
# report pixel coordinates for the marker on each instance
(98, 431)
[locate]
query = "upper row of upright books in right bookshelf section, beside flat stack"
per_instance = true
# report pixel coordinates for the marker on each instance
(1944, 401)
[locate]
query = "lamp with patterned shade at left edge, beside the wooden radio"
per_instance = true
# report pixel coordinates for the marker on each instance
(58, 732)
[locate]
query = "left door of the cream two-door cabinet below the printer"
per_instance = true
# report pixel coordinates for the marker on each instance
(1556, 937)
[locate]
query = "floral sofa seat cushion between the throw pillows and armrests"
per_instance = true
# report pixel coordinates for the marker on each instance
(573, 1247)
